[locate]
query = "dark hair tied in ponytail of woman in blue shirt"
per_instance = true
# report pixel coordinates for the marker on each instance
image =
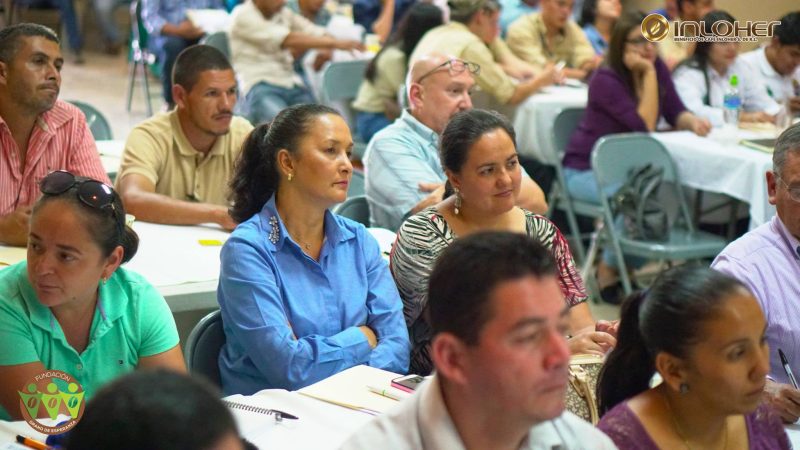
(256, 176)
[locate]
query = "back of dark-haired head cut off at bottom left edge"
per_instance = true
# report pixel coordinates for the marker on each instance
(156, 409)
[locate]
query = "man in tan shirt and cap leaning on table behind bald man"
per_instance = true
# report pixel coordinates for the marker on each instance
(473, 35)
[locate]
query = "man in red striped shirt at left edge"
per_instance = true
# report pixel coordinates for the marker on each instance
(38, 133)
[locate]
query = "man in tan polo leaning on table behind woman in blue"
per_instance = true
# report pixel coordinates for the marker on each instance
(176, 165)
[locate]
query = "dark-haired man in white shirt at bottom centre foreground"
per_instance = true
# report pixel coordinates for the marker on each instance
(500, 355)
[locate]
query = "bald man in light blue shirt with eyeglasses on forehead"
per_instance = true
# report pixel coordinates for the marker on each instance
(403, 172)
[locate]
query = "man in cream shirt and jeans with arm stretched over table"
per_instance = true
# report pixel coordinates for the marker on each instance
(265, 37)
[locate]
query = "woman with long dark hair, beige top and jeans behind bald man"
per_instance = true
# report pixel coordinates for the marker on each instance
(376, 102)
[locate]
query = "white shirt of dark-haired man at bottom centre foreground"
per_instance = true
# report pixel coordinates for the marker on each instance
(423, 423)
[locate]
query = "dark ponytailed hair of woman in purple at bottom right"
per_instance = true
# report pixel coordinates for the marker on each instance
(667, 318)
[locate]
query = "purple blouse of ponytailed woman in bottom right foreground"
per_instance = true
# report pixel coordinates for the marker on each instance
(764, 430)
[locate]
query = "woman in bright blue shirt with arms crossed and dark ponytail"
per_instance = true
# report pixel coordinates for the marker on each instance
(304, 294)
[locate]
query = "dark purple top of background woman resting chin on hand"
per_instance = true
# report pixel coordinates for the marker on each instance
(612, 109)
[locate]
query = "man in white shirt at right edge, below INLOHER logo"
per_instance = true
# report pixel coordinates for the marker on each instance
(778, 63)
